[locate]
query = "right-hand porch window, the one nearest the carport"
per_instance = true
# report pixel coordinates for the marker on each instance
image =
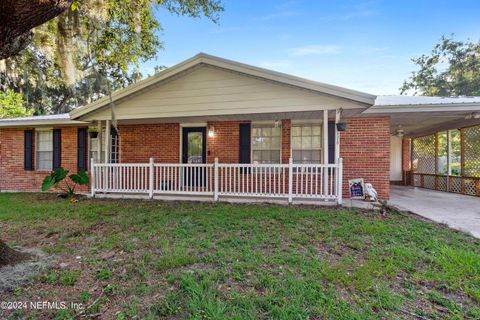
(306, 143)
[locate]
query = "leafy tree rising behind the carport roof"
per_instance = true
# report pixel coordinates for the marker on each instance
(451, 69)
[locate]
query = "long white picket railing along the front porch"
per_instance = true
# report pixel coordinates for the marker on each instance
(289, 181)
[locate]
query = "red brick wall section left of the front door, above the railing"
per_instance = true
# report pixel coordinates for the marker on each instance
(139, 143)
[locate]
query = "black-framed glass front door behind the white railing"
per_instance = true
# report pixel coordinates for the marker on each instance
(194, 150)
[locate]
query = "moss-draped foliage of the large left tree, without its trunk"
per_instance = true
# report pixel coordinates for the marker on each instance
(92, 48)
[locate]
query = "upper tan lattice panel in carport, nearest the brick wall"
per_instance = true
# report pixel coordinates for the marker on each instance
(423, 154)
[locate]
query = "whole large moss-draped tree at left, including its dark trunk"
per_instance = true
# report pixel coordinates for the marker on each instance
(67, 54)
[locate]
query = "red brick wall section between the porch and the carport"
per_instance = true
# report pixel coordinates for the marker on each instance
(365, 149)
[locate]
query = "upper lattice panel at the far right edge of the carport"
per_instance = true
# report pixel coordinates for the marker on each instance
(471, 151)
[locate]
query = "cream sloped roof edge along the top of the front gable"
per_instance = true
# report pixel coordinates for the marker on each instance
(202, 58)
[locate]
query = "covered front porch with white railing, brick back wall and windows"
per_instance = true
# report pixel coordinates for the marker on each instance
(235, 158)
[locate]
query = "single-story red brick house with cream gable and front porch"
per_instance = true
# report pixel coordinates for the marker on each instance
(210, 127)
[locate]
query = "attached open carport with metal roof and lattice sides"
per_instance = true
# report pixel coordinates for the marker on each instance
(435, 142)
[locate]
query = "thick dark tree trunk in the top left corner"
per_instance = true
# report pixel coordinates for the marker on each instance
(18, 17)
